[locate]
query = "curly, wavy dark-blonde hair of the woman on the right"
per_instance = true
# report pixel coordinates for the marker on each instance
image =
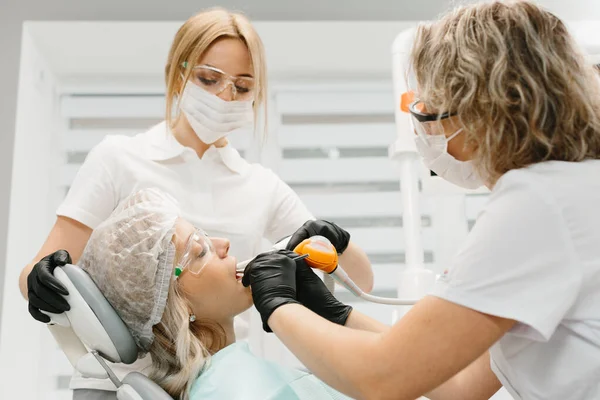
(520, 86)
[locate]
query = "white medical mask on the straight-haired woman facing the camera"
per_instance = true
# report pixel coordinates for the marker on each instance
(211, 117)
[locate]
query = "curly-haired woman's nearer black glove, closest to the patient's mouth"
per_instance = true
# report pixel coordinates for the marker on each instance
(272, 279)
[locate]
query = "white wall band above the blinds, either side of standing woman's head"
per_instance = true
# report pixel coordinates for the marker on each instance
(81, 52)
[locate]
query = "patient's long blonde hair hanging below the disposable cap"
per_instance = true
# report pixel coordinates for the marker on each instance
(181, 349)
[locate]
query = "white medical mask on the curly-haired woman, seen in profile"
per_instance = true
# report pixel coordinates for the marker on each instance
(434, 151)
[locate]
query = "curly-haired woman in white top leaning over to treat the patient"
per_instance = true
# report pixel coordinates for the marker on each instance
(504, 98)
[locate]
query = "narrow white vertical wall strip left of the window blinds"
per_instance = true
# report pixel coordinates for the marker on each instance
(31, 215)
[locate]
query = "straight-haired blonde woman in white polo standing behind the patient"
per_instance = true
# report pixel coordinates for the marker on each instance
(216, 82)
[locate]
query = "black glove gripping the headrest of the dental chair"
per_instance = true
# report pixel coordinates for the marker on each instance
(45, 292)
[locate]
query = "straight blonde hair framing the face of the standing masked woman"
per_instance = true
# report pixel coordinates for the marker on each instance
(195, 36)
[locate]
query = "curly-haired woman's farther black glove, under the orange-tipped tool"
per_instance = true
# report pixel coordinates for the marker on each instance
(314, 295)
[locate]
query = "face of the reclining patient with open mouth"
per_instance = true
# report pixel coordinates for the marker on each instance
(214, 292)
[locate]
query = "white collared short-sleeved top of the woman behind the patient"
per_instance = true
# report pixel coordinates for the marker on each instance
(220, 193)
